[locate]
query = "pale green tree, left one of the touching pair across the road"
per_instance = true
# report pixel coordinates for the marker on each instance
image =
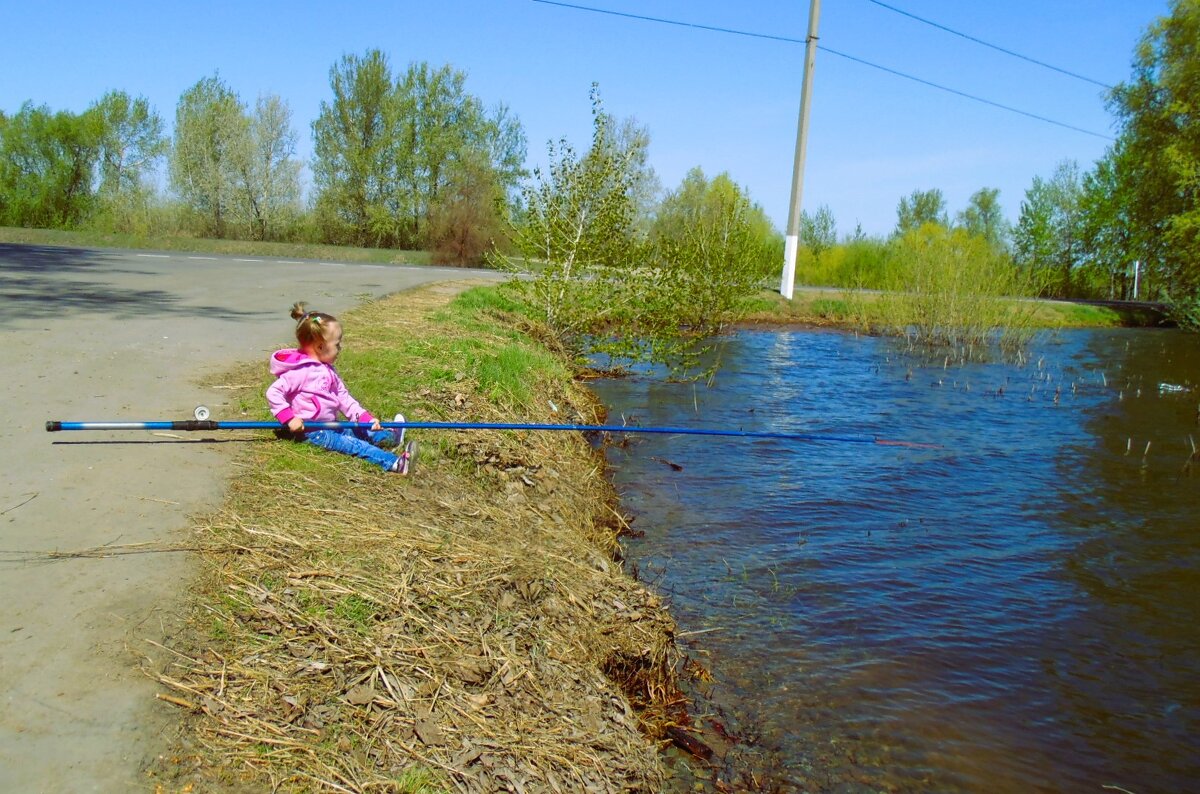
(212, 140)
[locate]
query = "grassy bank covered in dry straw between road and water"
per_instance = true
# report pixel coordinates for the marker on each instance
(464, 629)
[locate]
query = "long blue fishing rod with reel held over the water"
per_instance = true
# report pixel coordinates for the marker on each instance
(202, 423)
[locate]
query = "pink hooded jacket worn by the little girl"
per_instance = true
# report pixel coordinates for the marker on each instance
(311, 390)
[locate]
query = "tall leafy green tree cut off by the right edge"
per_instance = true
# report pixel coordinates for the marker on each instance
(1160, 113)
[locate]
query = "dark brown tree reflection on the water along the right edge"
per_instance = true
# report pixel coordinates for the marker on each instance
(1136, 635)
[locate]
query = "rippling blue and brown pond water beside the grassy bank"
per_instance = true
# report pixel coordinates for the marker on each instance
(1018, 611)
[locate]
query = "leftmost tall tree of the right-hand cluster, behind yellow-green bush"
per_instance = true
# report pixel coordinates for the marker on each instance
(1047, 239)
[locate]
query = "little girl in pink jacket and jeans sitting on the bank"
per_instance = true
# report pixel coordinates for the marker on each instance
(309, 389)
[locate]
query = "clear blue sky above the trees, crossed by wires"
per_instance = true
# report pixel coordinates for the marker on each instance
(719, 101)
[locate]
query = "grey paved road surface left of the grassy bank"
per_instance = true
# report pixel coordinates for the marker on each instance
(99, 335)
